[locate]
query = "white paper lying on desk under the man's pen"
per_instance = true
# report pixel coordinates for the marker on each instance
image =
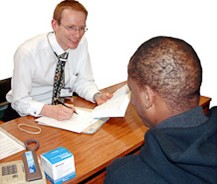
(77, 123)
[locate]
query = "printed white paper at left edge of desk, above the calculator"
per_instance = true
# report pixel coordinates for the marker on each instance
(9, 145)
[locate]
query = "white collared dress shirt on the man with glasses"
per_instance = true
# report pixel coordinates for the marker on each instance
(34, 70)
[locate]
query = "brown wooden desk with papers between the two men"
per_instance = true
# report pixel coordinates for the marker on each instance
(116, 138)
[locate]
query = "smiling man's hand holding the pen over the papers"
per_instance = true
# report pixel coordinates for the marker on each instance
(58, 112)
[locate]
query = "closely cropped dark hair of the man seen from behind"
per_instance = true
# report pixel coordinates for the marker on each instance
(171, 67)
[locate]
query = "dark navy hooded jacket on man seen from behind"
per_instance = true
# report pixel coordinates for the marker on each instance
(180, 150)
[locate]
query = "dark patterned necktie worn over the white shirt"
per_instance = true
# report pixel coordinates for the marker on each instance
(59, 78)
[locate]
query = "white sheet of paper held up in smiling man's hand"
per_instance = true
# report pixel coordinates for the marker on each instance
(114, 107)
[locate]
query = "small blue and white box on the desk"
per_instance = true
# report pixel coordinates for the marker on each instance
(58, 165)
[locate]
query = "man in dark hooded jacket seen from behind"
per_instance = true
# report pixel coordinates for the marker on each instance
(164, 76)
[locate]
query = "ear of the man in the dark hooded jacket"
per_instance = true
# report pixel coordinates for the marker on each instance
(148, 96)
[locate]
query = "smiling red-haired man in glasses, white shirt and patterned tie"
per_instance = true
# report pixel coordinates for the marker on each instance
(36, 82)
